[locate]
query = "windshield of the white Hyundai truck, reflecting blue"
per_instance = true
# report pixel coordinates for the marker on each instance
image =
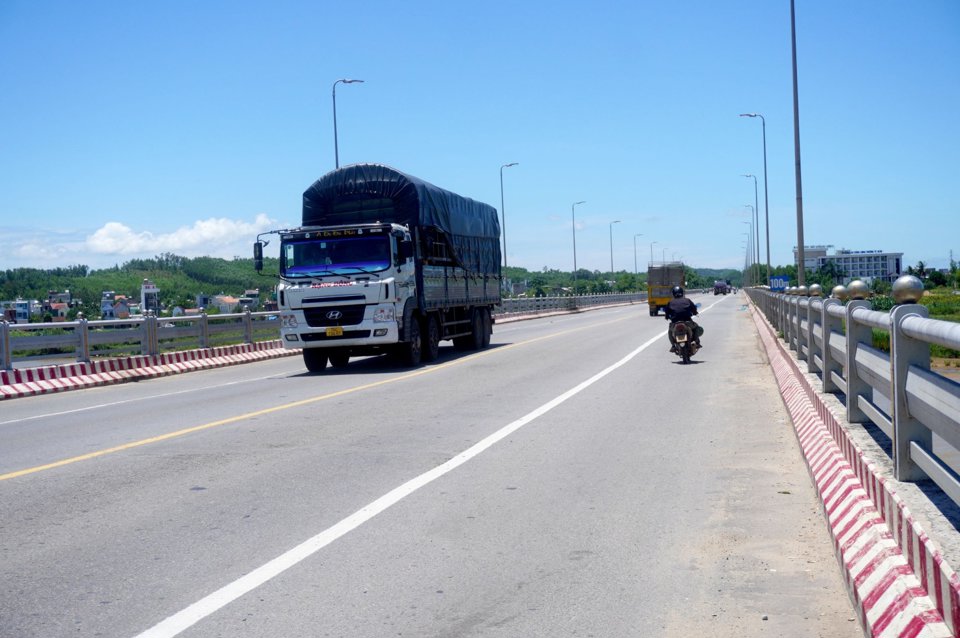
(315, 257)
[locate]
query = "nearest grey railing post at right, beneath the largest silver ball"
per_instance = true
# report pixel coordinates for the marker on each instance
(904, 353)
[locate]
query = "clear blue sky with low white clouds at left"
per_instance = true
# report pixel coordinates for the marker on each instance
(133, 129)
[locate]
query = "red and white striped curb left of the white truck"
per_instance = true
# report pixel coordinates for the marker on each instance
(44, 380)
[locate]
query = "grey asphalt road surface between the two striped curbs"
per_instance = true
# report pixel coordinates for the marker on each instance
(574, 479)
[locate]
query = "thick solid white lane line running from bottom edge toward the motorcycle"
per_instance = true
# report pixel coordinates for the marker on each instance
(206, 606)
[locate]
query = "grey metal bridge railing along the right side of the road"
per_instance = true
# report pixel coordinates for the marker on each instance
(898, 392)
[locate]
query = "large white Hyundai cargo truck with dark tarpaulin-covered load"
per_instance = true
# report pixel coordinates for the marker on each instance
(385, 262)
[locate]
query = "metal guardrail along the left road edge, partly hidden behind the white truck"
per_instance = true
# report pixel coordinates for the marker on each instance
(85, 339)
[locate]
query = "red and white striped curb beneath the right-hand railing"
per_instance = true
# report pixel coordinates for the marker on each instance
(897, 579)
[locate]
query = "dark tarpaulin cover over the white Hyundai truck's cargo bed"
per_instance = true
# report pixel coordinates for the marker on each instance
(472, 227)
